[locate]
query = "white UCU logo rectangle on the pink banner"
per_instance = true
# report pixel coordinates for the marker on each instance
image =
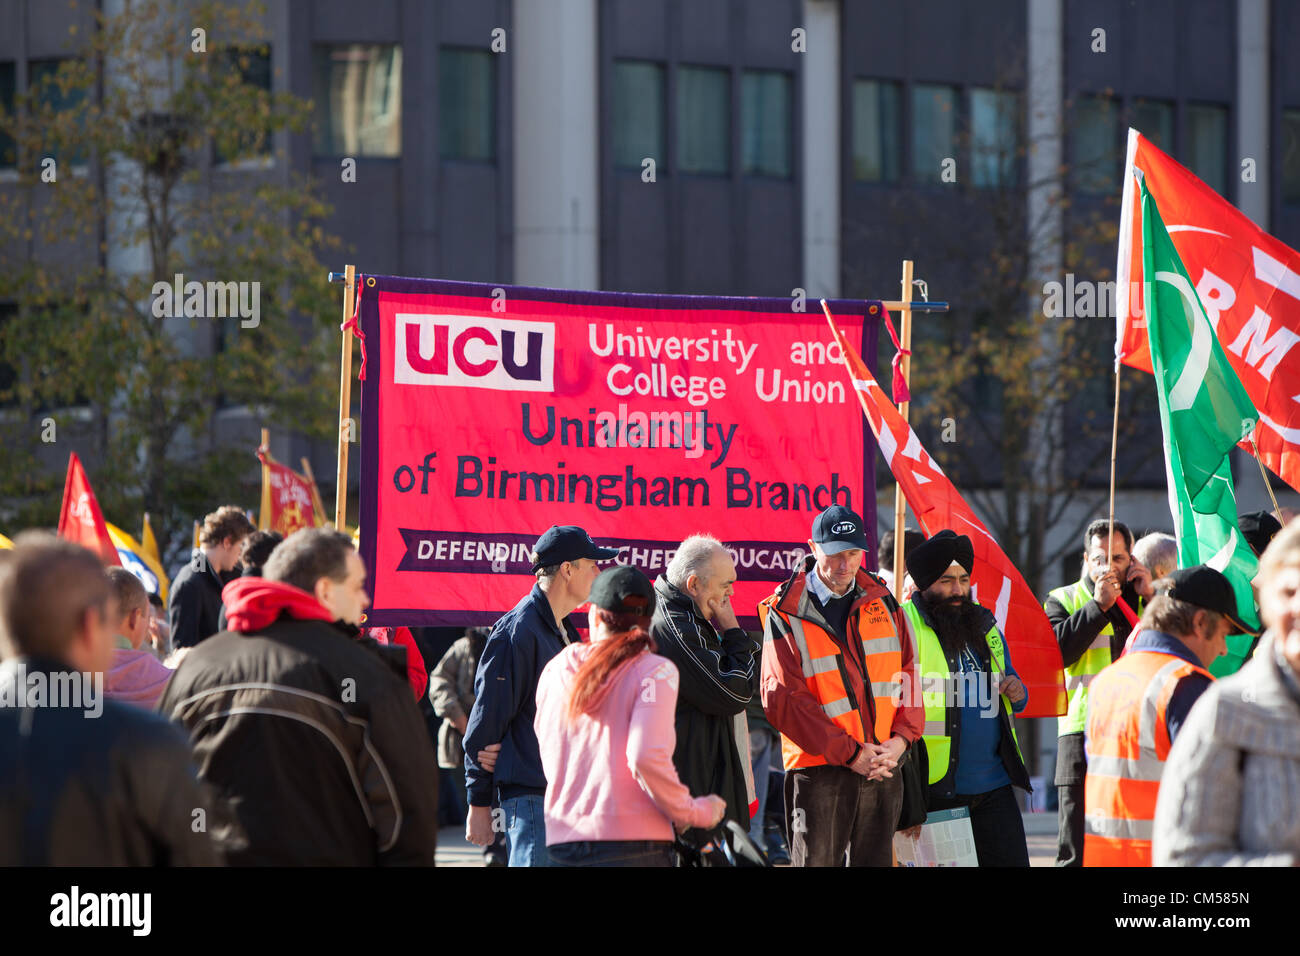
(476, 352)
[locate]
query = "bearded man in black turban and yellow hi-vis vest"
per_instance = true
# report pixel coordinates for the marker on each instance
(970, 691)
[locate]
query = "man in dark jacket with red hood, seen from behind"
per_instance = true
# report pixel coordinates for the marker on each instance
(310, 738)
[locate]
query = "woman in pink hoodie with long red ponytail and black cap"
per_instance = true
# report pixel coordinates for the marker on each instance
(605, 723)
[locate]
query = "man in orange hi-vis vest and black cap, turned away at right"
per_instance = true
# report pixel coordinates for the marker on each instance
(1138, 704)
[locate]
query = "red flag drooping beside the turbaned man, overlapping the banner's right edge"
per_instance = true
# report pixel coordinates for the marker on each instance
(939, 505)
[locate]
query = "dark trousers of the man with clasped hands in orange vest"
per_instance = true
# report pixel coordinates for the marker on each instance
(833, 812)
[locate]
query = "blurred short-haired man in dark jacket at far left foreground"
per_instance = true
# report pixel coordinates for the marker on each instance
(84, 781)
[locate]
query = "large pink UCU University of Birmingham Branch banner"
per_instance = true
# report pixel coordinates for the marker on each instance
(492, 413)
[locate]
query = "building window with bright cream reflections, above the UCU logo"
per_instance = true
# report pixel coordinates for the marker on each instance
(358, 93)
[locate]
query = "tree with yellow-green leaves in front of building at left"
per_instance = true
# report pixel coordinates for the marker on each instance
(145, 166)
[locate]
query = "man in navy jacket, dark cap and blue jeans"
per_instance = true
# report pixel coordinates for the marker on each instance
(506, 695)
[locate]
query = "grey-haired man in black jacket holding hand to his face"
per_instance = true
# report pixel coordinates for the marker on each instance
(696, 629)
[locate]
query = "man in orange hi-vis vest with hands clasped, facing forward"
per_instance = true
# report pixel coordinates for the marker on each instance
(837, 655)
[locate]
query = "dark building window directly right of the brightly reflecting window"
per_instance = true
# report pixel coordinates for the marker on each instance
(467, 105)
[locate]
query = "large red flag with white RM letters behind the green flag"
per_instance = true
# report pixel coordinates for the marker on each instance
(1247, 282)
